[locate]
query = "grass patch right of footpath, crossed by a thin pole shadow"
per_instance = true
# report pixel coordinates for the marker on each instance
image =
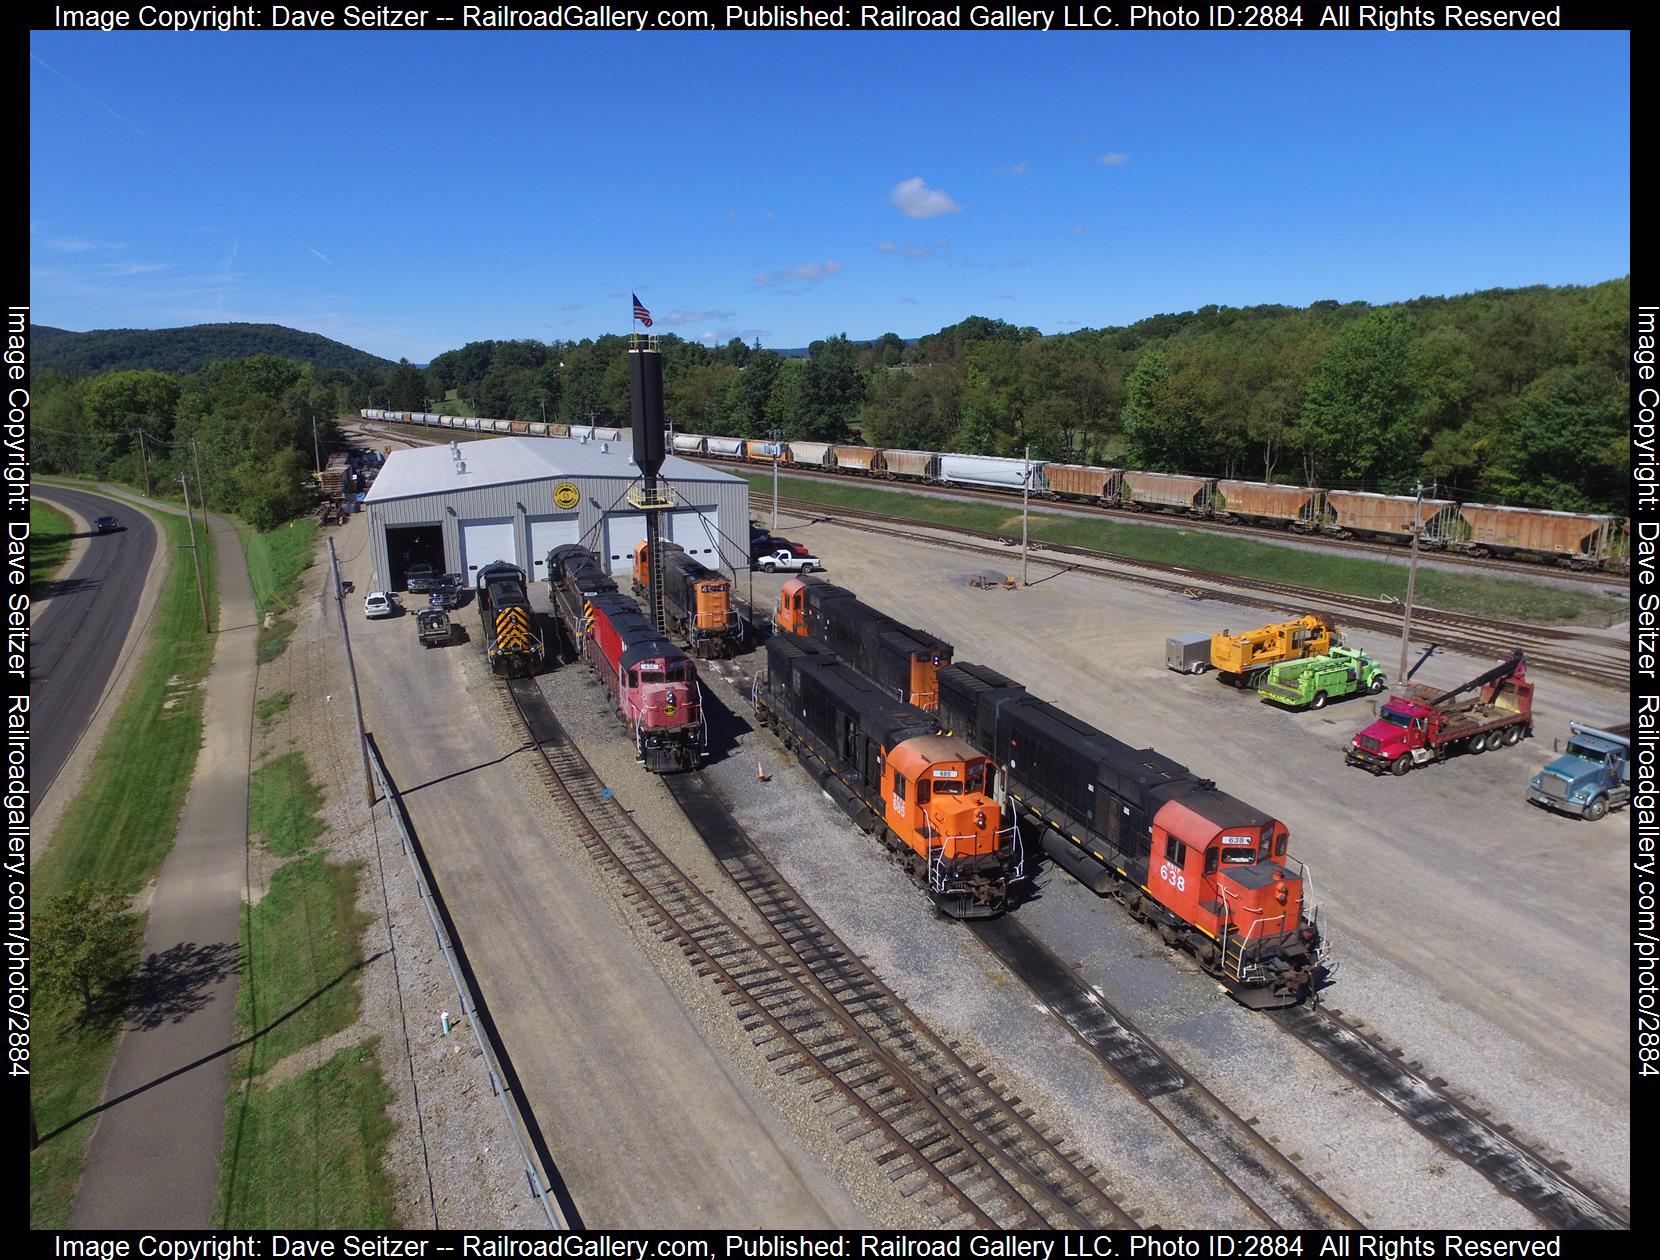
(301, 950)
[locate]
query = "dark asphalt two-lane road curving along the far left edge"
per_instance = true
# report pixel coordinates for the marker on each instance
(77, 637)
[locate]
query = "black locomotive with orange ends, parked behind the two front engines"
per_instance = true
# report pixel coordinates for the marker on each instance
(902, 660)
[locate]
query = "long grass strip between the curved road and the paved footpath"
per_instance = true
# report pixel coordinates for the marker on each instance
(119, 829)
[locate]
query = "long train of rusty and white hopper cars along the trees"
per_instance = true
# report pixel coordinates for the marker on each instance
(1570, 539)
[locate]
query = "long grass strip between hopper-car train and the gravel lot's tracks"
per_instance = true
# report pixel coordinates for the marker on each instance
(1218, 554)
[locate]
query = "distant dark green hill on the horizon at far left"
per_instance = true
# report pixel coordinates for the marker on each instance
(84, 354)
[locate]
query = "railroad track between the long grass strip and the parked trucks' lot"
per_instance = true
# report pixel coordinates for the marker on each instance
(1548, 647)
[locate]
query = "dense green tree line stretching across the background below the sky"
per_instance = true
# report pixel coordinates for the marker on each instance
(1513, 396)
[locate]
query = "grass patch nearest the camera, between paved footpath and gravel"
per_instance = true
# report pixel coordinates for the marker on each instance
(310, 1153)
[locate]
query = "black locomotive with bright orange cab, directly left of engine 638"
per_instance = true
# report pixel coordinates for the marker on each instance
(934, 799)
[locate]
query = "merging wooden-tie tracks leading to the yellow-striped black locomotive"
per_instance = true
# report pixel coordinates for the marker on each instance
(947, 1135)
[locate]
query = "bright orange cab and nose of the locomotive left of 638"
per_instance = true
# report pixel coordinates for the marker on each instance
(942, 801)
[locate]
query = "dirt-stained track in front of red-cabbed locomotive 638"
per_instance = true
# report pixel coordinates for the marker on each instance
(1535, 1181)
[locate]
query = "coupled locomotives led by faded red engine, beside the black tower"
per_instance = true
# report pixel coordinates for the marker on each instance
(652, 683)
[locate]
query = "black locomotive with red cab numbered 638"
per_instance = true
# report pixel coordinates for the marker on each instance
(1209, 872)
